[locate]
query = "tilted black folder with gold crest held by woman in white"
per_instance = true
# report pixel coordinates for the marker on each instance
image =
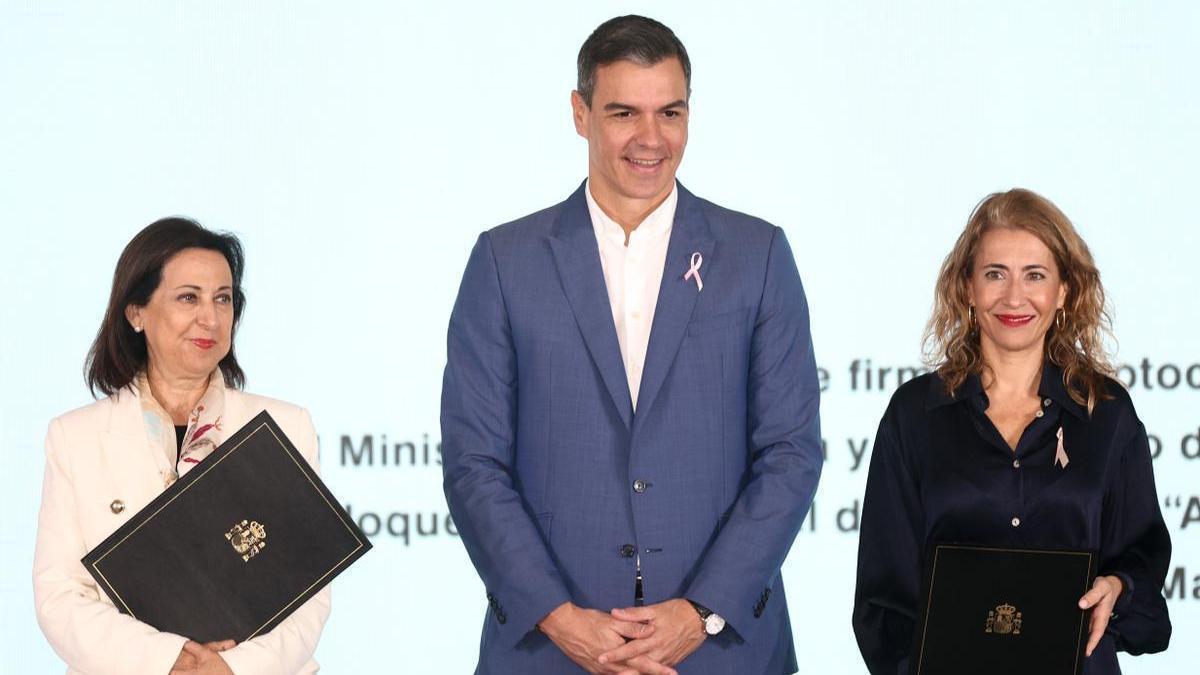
(232, 548)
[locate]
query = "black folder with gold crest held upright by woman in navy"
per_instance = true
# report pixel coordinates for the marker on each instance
(1001, 611)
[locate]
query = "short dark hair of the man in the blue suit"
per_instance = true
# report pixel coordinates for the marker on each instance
(641, 40)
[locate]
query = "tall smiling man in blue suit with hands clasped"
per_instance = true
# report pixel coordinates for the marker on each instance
(629, 411)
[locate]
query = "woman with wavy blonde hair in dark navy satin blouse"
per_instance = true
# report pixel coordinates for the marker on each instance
(1019, 439)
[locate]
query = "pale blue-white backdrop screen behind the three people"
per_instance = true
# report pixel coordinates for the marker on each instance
(359, 148)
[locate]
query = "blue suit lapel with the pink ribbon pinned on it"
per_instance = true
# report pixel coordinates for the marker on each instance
(677, 297)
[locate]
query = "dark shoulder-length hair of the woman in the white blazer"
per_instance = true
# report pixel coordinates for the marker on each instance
(119, 354)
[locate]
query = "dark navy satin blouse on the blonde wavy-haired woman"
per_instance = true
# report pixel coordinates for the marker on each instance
(941, 471)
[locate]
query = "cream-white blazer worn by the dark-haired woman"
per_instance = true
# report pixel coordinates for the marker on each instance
(101, 453)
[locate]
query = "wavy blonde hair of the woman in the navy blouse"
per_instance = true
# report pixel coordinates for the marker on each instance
(1075, 342)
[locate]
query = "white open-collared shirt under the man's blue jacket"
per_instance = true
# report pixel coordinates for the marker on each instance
(633, 274)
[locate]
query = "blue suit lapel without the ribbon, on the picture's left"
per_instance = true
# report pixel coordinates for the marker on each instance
(578, 258)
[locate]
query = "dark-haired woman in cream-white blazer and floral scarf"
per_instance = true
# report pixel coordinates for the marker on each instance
(165, 360)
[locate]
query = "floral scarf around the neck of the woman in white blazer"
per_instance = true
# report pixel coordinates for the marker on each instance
(203, 435)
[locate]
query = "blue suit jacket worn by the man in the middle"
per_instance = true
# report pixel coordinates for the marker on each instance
(542, 447)
